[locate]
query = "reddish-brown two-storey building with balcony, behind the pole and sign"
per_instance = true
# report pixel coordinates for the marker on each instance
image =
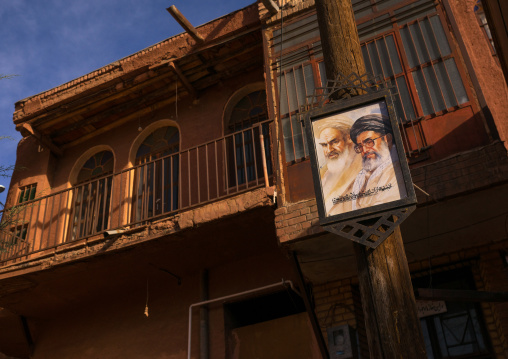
(167, 202)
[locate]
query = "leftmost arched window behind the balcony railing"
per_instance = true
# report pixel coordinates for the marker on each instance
(92, 196)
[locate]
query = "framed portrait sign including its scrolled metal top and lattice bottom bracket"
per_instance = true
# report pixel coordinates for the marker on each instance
(361, 177)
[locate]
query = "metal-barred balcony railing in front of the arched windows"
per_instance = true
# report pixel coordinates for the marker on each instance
(140, 195)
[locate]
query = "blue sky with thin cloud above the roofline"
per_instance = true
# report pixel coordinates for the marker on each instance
(47, 43)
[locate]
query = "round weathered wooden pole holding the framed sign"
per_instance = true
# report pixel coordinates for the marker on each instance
(389, 306)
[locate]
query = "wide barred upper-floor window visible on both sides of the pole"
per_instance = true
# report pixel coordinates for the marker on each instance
(407, 47)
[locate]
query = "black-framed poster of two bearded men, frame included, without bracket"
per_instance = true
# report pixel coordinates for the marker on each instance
(358, 160)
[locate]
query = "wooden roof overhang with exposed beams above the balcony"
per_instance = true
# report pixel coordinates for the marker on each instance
(143, 82)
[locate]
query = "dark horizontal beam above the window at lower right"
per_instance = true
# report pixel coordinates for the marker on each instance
(459, 295)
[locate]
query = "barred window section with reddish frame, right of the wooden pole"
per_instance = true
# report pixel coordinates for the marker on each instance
(429, 65)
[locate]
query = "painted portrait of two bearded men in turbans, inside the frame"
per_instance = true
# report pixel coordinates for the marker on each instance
(358, 160)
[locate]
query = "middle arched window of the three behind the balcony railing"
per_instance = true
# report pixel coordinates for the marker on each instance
(156, 181)
